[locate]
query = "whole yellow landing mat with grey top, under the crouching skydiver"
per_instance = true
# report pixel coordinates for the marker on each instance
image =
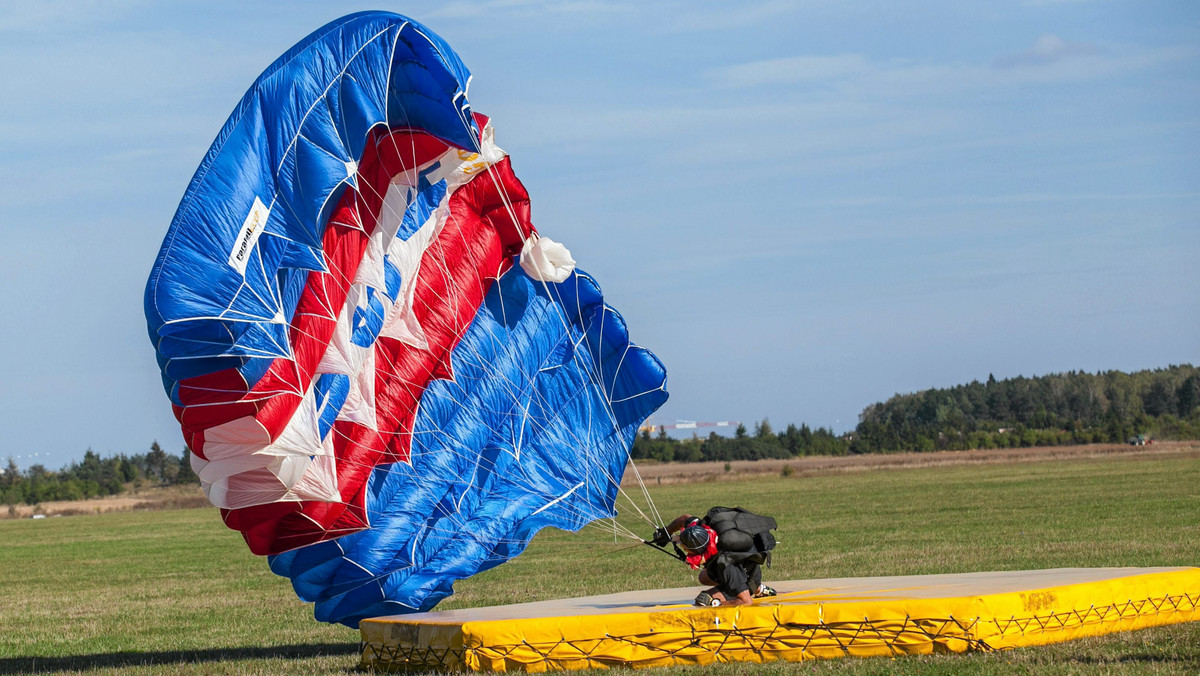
(808, 620)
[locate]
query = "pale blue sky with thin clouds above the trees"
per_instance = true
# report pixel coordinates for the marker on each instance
(802, 208)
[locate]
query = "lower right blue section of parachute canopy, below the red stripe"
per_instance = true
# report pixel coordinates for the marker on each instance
(549, 387)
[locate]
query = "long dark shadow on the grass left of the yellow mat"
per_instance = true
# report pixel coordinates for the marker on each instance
(123, 660)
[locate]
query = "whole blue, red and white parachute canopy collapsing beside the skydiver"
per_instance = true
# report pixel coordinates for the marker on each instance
(375, 392)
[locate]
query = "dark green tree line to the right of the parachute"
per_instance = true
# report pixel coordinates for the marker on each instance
(1055, 410)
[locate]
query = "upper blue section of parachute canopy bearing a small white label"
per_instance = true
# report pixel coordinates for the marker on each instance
(291, 145)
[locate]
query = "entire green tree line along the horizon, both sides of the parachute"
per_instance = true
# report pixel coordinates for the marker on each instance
(1055, 410)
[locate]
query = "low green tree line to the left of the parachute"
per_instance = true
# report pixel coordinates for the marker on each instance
(95, 477)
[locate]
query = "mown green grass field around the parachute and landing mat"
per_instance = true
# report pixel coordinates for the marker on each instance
(176, 593)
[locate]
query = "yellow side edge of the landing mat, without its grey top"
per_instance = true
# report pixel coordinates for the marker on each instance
(789, 629)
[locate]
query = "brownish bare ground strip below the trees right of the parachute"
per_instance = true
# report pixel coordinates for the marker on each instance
(813, 466)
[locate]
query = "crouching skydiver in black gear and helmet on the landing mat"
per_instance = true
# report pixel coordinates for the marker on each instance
(729, 547)
